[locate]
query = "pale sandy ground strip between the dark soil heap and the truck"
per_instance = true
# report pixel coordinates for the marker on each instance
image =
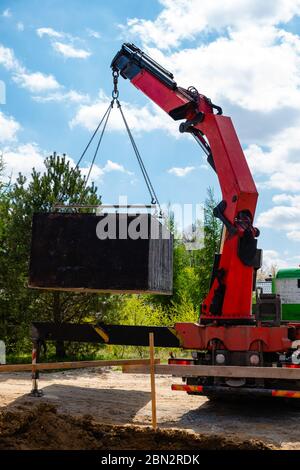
(111, 397)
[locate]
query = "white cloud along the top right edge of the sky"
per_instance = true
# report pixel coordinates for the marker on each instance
(180, 19)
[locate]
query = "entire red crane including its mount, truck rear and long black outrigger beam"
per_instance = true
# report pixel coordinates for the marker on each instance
(227, 334)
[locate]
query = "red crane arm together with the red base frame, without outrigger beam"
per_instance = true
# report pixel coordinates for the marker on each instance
(239, 195)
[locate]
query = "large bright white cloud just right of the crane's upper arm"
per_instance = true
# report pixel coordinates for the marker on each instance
(233, 68)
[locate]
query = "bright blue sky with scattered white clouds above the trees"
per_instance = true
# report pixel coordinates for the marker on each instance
(244, 54)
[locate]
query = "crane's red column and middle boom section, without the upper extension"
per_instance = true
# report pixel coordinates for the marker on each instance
(239, 192)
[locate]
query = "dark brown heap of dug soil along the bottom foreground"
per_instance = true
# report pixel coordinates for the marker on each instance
(41, 427)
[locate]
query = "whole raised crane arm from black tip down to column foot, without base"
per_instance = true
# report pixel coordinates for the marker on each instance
(230, 294)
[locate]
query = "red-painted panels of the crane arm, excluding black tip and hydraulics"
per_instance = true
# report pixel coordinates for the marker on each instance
(238, 190)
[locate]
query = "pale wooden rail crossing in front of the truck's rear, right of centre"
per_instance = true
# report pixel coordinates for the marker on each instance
(217, 371)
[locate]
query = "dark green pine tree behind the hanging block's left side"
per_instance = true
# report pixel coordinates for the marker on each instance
(62, 184)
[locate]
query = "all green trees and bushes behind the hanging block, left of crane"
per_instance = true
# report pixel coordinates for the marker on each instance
(19, 305)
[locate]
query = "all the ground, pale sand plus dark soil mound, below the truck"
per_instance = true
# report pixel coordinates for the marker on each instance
(83, 407)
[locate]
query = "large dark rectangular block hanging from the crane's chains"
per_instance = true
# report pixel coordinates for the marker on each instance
(108, 253)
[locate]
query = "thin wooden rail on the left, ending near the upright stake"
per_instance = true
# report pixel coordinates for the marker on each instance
(73, 365)
